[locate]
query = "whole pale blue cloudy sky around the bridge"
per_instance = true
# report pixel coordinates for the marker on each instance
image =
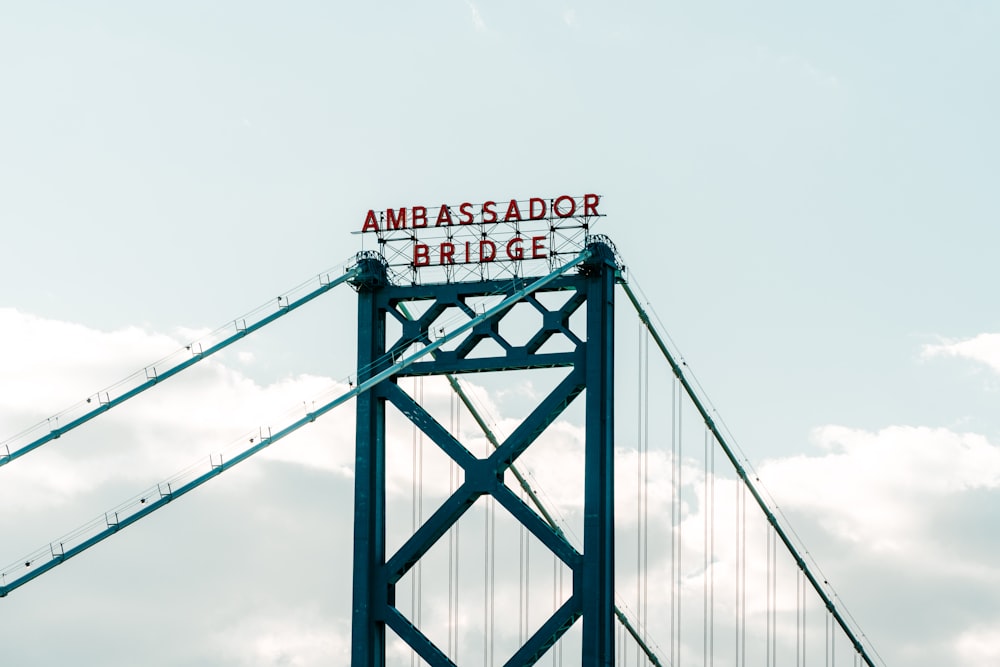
(805, 196)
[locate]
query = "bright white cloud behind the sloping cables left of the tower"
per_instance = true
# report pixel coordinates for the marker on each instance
(204, 410)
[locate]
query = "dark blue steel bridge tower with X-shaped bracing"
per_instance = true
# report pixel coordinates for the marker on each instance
(590, 359)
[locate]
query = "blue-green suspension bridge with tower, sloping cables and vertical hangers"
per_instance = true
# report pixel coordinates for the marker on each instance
(506, 550)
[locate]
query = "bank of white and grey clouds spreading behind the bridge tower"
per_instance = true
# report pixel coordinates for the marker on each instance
(895, 513)
